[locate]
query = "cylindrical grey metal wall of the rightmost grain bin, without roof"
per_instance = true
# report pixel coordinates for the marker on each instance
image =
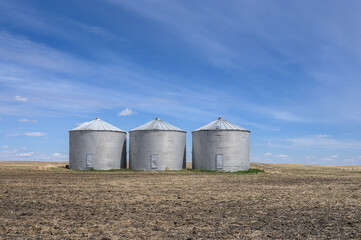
(234, 145)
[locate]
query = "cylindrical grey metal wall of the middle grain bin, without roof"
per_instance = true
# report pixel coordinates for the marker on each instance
(169, 145)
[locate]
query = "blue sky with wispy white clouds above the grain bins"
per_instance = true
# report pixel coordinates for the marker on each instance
(287, 70)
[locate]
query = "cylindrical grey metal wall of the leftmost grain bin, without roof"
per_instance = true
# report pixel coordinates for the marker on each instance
(108, 149)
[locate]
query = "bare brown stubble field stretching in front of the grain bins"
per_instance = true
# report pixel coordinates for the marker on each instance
(46, 201)
